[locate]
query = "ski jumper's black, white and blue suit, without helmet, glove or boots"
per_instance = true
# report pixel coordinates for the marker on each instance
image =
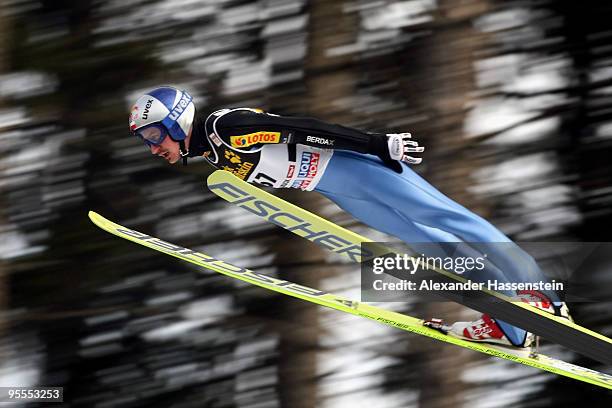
(305, 153)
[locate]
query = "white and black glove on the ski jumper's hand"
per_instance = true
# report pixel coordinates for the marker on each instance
(392, 148)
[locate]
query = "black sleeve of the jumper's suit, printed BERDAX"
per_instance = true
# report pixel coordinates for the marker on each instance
(302, 130)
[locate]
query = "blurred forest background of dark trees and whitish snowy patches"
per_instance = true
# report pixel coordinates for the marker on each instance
(512, 99)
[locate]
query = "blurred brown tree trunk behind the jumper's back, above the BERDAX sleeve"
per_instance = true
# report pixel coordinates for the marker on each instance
(328, 80)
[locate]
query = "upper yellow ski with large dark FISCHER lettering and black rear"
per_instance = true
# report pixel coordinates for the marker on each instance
(347, 243)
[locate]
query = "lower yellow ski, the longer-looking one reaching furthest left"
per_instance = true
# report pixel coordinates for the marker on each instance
(347, 305)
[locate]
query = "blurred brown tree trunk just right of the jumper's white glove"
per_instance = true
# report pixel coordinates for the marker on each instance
(448, 58)
